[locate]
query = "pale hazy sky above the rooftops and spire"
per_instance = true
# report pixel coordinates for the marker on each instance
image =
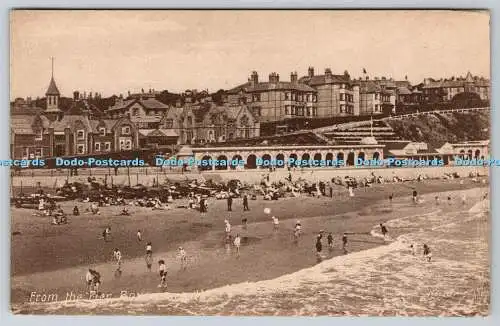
(115, 51)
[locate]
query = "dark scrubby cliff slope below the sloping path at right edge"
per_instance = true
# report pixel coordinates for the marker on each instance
(438, 128)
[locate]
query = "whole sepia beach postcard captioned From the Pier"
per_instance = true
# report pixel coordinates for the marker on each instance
(250, 162)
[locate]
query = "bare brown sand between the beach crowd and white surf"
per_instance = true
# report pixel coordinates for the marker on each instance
(267, 255)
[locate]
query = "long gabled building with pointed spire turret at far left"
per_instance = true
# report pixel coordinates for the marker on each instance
(51, 132)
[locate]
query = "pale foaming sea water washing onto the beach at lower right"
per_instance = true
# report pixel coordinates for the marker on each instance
(385, 280)
